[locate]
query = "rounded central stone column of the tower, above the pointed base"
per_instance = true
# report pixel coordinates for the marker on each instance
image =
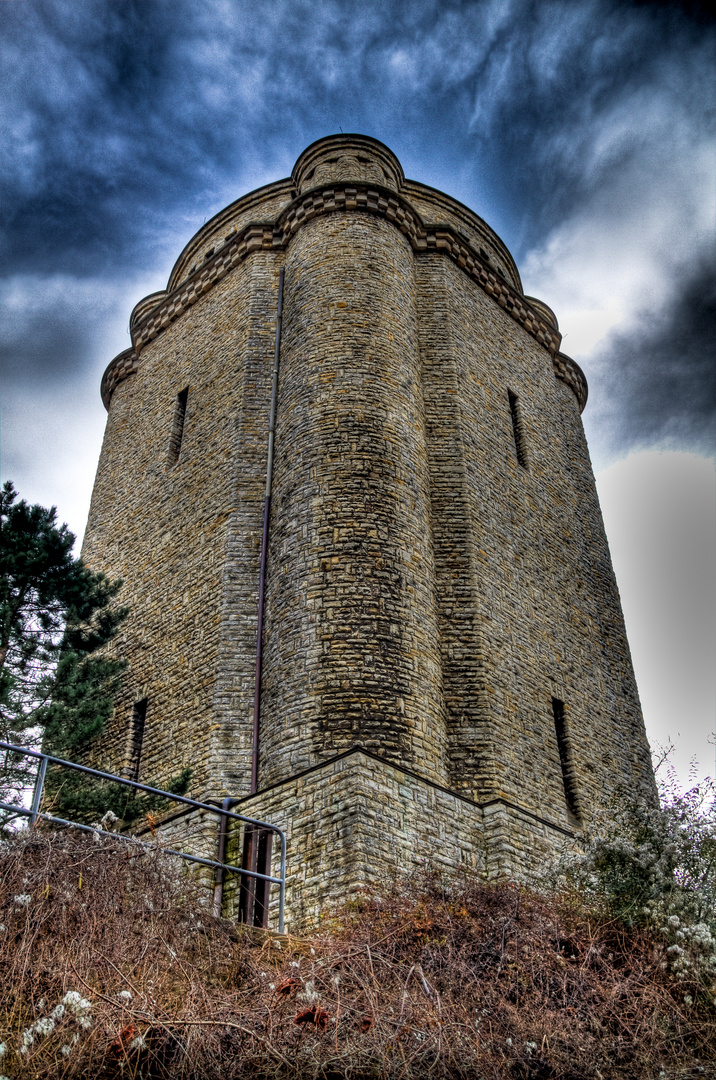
(352, 644)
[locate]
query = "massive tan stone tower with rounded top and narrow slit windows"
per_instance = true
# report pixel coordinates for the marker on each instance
(445, 671)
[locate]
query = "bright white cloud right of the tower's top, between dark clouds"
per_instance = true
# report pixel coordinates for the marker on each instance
(647, 215)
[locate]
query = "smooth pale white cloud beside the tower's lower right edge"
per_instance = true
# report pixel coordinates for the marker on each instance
(660, 516)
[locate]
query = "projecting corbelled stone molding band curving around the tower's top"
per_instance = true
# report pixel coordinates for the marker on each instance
(372, 199)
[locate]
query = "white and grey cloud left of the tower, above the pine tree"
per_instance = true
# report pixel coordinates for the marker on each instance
(53, 422)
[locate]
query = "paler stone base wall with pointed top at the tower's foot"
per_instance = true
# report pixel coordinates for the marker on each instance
(356, 821)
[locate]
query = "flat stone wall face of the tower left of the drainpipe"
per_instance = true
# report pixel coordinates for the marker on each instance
(166, 530)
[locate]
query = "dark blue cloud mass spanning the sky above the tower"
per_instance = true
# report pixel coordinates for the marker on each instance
(124, 113)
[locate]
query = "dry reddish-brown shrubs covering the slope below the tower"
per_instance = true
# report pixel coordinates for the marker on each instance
(460, 980)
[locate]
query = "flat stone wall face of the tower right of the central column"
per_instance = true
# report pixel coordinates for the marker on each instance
(545, 595)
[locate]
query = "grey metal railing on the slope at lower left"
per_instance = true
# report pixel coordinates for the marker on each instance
(35, 814)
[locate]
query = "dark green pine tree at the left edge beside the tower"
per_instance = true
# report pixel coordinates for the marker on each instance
(56, 614)
